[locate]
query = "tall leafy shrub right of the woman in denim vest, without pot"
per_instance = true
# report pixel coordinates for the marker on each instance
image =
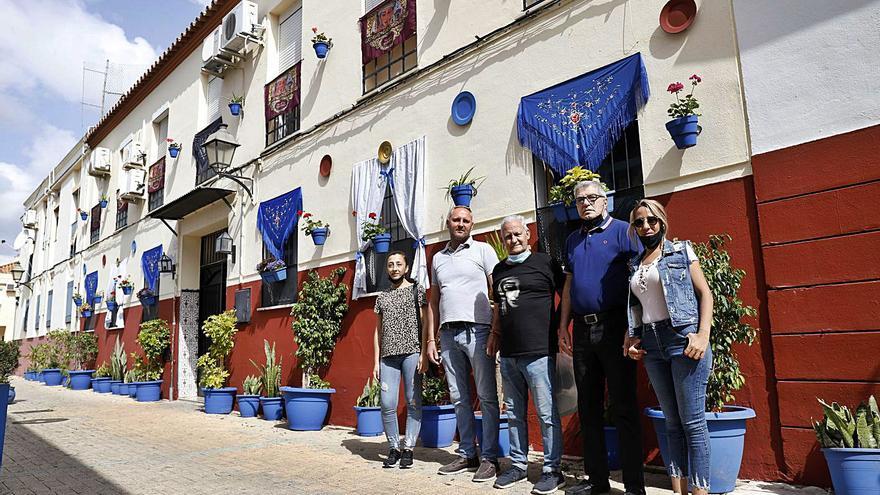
(728, 327)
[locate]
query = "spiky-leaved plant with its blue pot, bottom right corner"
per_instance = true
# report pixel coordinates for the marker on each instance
(851, 444)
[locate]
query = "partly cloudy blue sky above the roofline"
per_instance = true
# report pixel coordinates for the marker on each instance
(41, 79)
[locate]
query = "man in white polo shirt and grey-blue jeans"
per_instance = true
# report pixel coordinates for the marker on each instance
(459, 305)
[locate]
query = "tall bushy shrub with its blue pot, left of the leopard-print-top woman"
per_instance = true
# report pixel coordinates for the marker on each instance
(317, 321)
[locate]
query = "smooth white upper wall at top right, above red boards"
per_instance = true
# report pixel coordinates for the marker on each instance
(811, 69)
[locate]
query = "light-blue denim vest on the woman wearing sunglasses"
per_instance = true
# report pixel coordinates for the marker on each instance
(678, 288)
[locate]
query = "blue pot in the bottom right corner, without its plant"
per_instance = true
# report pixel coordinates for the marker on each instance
(854, 471)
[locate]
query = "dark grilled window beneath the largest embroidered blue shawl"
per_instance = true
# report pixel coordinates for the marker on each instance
(621, 171)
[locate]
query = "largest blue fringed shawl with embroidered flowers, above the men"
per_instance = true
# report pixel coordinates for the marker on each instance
(577, 122)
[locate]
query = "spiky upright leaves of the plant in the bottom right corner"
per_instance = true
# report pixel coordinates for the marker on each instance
(841, 429)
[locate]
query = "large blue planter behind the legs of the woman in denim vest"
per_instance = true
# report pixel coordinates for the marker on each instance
(727, 431)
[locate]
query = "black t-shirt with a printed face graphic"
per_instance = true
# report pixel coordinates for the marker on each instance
(524, 294)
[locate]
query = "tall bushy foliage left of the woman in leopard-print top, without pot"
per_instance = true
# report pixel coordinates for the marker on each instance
(318, 316)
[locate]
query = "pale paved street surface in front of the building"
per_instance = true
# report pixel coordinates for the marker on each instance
(60, 441)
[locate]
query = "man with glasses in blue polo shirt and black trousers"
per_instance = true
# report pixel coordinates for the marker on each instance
(594, 298)
